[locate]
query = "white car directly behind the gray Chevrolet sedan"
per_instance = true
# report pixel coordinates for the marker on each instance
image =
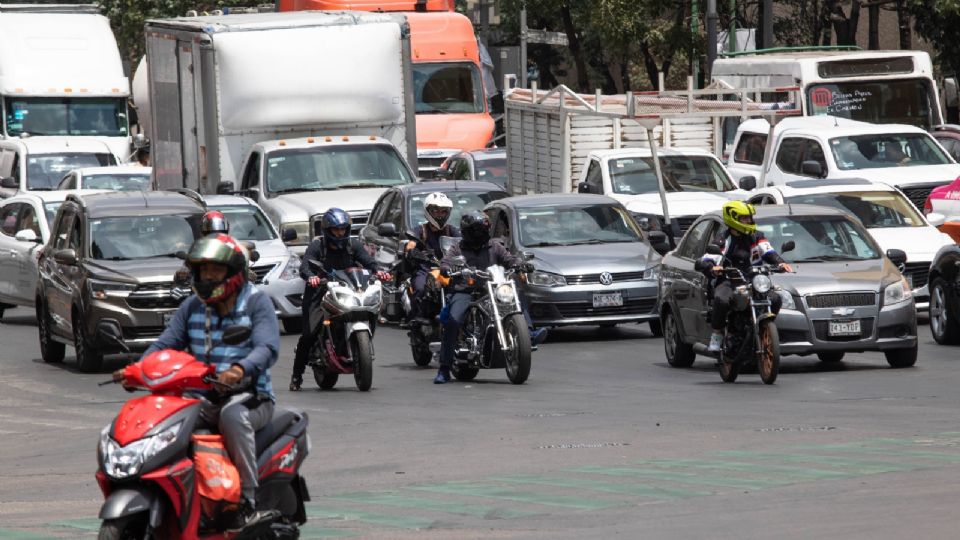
(889, 216)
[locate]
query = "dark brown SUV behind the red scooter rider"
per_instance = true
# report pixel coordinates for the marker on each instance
(107, 270)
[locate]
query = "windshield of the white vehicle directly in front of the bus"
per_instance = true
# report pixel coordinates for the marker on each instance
(886, 150)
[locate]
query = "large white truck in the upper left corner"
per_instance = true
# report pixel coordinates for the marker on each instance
(61, 75)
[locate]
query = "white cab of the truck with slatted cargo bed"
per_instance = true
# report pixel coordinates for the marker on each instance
(695, 182)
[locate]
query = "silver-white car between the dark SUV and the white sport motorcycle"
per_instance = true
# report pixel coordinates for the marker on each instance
(277, 269)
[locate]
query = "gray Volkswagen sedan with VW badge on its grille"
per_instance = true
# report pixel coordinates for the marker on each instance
(592, 265)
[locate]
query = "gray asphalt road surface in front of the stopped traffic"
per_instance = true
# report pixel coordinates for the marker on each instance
(605, 440)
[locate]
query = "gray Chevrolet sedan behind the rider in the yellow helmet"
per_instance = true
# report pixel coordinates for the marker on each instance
(845, 296)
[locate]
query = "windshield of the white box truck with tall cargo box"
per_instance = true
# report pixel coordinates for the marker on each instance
(335, 167)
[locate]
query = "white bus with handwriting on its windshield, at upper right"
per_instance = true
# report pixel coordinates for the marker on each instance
(883, 87)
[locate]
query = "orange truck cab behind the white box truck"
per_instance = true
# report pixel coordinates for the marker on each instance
(452, 108)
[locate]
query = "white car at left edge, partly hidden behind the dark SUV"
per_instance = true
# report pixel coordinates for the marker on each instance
(24, 228)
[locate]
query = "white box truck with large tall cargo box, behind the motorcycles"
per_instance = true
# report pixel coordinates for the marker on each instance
(264, 103)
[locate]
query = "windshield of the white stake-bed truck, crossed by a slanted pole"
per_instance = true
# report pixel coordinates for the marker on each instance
(636, 175)
